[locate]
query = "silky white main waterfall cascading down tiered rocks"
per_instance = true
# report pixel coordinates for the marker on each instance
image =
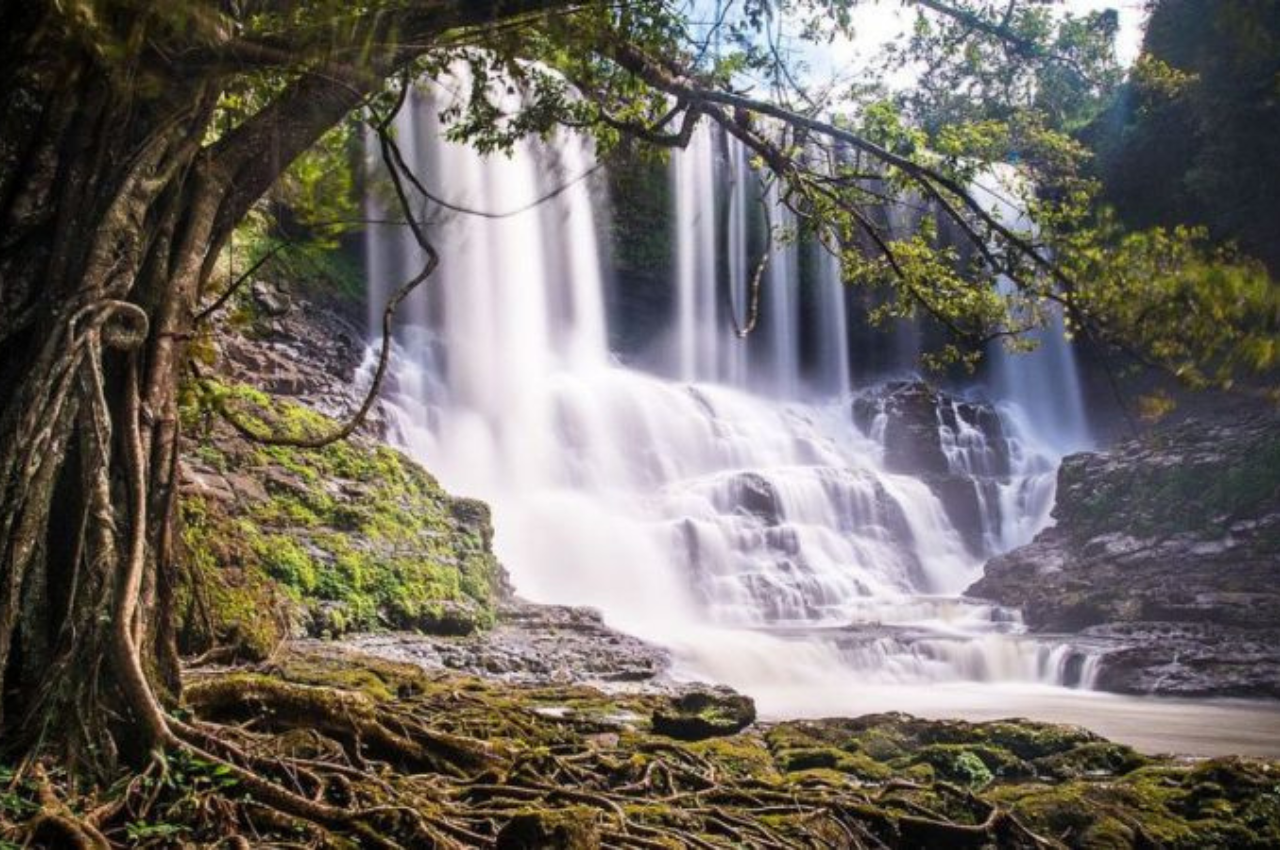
(725, 505)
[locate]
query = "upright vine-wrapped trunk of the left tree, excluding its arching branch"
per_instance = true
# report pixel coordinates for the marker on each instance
(100, 209)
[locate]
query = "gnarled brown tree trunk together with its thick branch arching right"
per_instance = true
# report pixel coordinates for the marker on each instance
(112, 214)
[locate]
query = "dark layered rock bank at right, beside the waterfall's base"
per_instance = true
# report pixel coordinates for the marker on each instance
(1168, 551)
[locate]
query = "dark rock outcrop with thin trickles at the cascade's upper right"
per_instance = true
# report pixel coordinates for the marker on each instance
(958, 447)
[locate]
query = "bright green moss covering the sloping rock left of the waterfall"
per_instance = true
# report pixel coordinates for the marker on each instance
(354, 534)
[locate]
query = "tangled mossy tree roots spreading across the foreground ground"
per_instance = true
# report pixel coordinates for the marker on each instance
(304, 757)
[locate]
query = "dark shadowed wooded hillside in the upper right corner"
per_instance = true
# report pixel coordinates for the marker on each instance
(1191, 139)
